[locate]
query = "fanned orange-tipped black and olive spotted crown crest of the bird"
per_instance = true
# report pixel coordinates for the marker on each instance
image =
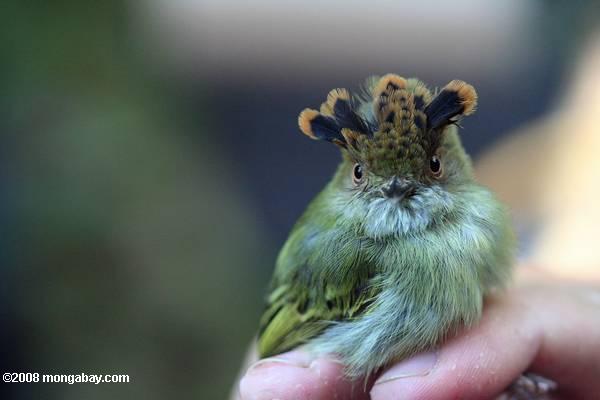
(396, 127)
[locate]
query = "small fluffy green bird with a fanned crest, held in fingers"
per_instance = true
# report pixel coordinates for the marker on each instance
(400, 248)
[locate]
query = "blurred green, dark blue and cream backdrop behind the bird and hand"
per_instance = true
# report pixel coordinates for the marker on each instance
(151, 165)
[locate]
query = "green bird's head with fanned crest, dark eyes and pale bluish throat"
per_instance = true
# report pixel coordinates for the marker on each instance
(403, 163)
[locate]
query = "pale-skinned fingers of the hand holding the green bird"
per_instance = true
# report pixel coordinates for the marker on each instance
(541, 324)
